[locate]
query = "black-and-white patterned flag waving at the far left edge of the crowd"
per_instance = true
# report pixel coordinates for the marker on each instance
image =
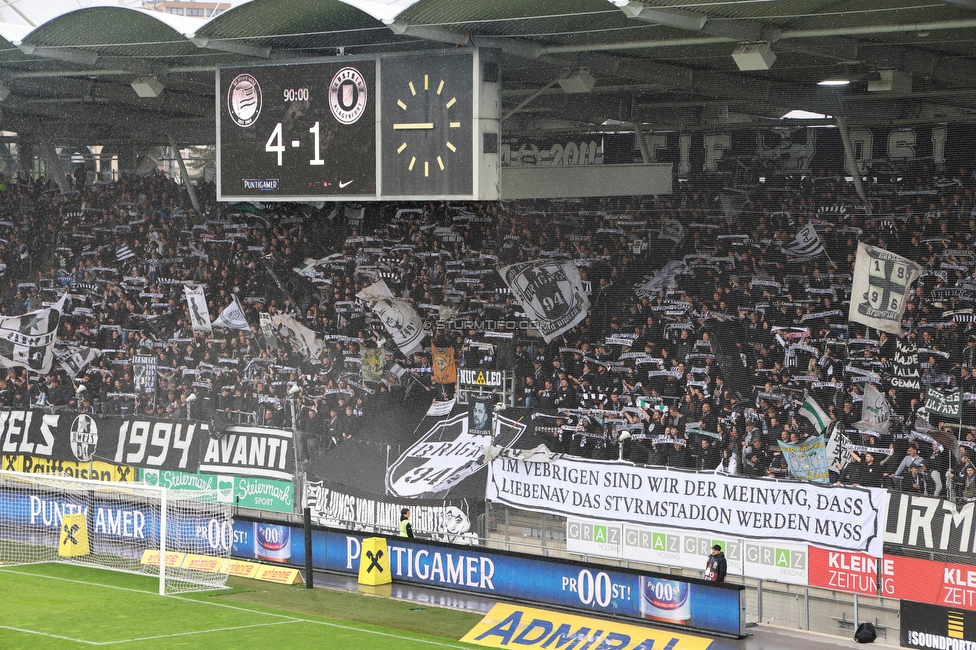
(28, 341)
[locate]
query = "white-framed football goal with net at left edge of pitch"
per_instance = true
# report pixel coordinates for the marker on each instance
(183, 537)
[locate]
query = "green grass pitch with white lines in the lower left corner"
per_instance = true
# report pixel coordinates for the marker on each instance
(64, 606)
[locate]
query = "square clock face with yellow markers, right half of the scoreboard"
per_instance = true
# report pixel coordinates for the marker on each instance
(427, 120)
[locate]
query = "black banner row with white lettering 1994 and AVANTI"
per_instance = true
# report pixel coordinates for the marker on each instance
(147, 443)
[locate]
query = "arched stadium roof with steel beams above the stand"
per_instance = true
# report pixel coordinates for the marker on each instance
(663, 64)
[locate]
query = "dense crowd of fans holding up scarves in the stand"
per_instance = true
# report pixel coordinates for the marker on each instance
(697, 349)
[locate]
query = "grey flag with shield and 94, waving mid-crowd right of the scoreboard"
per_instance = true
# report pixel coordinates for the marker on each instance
(551, 292)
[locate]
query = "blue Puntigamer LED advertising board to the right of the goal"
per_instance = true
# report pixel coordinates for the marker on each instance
(691, 603)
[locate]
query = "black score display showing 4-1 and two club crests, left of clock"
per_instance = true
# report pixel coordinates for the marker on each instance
(297, 131)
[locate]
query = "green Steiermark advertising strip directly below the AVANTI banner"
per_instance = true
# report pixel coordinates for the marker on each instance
(242, 491)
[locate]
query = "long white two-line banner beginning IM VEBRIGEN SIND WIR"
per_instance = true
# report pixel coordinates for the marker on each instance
(845, 518)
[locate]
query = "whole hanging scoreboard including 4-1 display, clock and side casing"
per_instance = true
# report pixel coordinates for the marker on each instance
(360, 128)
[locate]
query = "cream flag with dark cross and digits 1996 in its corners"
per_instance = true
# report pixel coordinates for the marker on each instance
(882, 282)
